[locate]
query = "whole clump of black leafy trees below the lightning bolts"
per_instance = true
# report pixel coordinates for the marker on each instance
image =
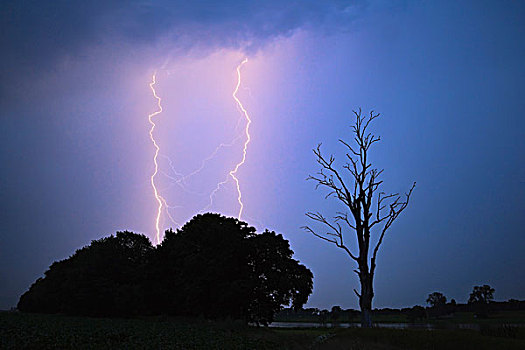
(213, 267)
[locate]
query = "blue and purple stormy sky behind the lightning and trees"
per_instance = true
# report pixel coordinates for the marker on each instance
(447, 77)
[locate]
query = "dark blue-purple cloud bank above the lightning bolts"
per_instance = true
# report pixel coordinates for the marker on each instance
(35, 34)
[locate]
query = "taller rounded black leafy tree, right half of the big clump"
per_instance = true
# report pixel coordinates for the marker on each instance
(219, 267)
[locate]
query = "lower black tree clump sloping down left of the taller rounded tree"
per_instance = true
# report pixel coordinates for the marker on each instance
(102, 279)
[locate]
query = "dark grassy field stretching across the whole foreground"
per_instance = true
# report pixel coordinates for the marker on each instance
(31, 331)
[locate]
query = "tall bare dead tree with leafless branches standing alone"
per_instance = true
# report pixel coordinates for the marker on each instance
(357, 186)
